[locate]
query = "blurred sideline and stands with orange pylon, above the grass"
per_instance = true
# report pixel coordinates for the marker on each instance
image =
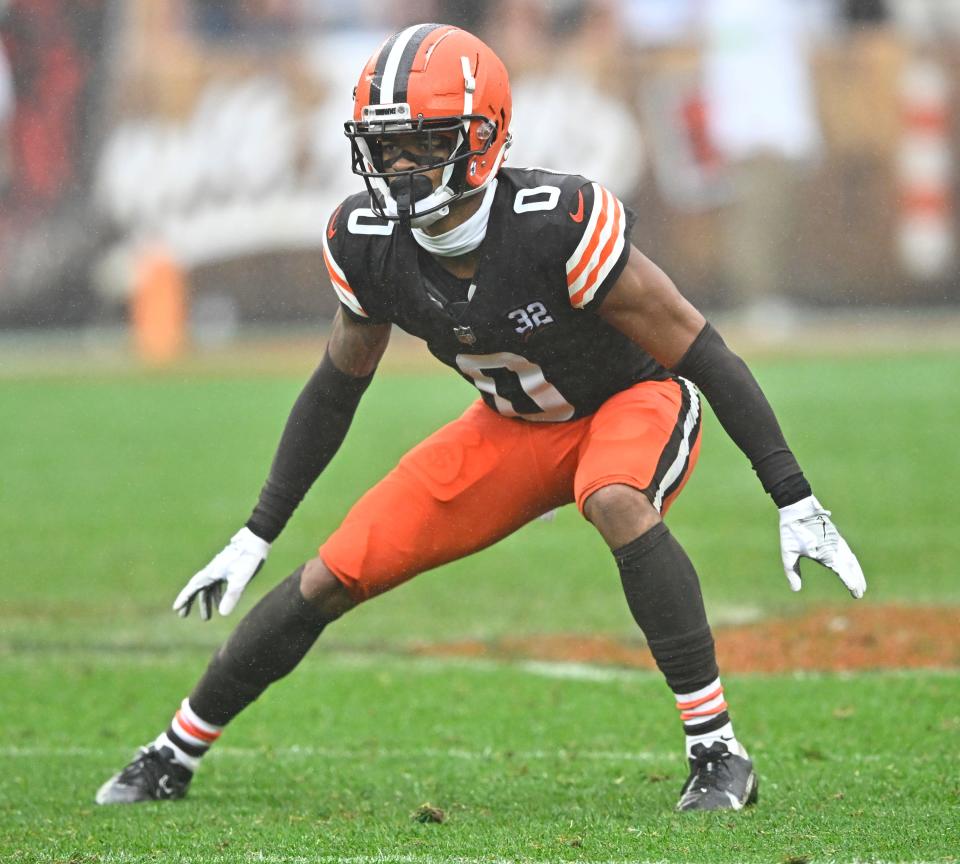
(167, 166)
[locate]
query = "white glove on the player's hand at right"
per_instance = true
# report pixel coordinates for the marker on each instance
(806, 531)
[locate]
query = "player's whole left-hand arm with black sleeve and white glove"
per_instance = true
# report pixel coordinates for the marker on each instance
(314, 431)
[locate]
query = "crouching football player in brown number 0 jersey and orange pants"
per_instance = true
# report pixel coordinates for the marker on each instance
(588, 362)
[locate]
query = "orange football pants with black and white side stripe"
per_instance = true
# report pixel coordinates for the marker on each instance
(481, 477)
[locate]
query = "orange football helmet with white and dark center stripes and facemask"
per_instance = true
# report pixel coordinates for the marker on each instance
(442, 83)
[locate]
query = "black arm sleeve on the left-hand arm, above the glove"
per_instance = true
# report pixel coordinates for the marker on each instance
(314, 432)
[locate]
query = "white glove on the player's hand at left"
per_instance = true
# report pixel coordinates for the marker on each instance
(232, 570)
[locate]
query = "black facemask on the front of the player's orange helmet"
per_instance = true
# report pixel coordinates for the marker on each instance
(387, 133)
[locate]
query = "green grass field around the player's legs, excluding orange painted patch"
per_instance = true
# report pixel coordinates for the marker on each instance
(117, 487)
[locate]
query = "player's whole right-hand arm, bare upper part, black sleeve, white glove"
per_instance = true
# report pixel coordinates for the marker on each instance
(646, 306)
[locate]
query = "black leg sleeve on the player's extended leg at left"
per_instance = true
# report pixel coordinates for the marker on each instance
(267, 644)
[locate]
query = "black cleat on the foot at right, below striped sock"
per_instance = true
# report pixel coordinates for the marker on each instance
(719, 780)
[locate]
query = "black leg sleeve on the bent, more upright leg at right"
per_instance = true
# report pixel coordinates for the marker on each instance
(663, 593)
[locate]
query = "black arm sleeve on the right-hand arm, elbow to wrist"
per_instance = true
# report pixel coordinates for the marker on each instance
(745, 414)
